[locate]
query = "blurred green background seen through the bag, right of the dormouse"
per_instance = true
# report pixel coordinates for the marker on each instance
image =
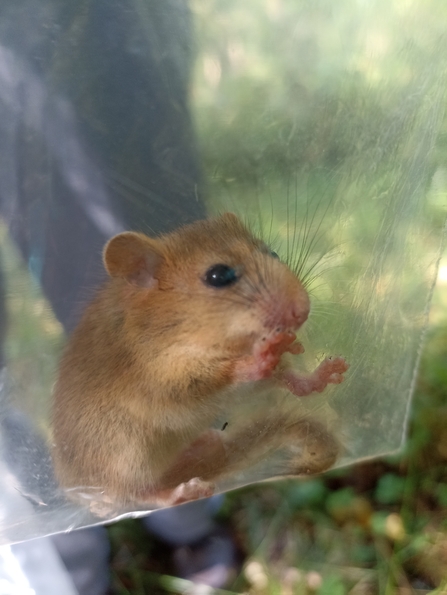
(323, 125)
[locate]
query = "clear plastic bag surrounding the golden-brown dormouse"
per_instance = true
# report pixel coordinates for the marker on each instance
(321, 125)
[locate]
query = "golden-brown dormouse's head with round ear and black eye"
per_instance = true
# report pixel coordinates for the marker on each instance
(216, 270)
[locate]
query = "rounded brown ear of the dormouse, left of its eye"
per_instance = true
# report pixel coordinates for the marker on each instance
(134, 257)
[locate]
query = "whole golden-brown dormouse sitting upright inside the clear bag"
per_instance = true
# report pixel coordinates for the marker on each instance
(184, 321)
